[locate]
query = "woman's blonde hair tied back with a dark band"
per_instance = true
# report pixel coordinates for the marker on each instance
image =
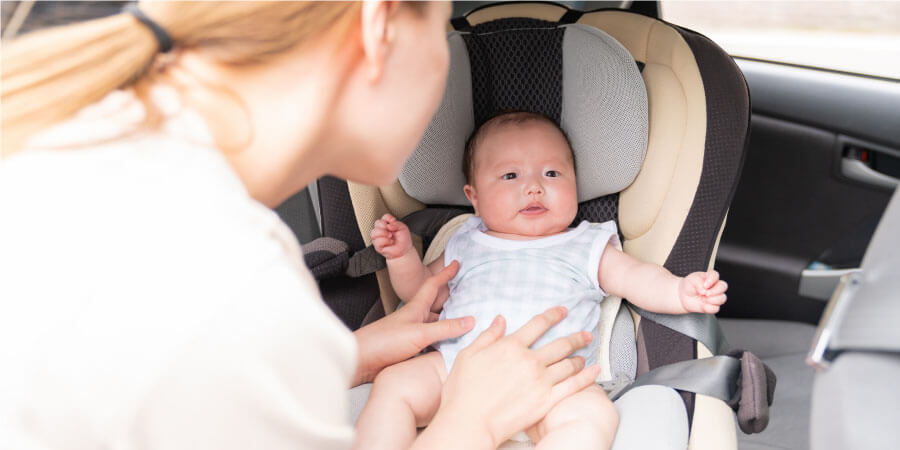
(47, 76)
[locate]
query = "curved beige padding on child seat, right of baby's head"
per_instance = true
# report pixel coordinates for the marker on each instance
(653, 209)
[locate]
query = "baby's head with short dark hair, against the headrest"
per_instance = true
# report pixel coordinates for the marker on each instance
(524, 181)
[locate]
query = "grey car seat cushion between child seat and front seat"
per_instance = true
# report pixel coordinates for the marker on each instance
(782, 346)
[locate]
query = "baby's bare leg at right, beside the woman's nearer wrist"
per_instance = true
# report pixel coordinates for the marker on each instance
(585, 420)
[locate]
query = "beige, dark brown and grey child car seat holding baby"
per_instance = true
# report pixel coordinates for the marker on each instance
(695, 128)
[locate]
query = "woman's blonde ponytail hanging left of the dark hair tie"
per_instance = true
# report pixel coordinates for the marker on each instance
(49, 75)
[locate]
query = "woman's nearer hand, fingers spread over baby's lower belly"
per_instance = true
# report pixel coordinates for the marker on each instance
(499, 386)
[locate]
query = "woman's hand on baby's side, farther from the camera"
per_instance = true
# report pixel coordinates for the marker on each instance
(405, 332)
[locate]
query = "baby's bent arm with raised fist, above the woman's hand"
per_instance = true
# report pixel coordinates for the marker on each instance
(392, 239)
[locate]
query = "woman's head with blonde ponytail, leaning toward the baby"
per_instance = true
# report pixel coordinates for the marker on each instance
(379, 74)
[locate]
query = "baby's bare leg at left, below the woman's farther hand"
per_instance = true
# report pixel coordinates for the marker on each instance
(405, 396)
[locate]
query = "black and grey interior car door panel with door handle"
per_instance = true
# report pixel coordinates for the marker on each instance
(798, 208)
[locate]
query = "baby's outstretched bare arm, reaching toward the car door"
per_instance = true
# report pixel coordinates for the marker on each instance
(652, 287)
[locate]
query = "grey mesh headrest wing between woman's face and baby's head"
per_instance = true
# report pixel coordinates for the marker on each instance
(433, 173)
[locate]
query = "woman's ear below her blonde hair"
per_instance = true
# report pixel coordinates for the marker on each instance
(377, 34)
